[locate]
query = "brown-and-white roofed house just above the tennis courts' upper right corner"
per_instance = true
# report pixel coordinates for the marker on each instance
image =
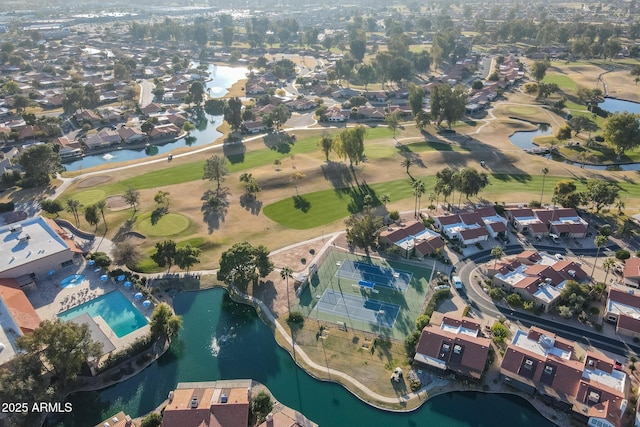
(412, 239)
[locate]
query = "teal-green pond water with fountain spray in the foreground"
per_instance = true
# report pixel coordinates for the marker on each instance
(222, 339)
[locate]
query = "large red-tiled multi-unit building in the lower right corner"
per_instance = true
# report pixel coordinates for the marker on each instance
(540, 362)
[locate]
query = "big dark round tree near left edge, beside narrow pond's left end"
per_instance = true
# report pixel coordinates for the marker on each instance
(40, 163)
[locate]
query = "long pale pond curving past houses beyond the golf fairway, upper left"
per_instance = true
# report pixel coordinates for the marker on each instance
(221, 78)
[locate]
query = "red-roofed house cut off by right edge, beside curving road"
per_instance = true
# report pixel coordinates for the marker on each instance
(623, 309)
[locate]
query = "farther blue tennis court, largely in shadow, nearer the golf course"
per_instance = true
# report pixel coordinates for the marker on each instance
(376, 274)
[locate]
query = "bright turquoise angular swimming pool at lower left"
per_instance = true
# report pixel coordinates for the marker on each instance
(121, 316)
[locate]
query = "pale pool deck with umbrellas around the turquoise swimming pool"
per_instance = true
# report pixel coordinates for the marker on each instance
(49, 299)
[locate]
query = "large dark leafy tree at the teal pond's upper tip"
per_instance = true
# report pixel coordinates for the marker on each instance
(239, 263)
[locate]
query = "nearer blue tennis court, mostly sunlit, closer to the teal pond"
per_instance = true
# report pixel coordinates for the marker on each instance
(359, 308)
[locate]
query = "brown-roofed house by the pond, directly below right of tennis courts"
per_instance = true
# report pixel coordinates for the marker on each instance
(456, 345)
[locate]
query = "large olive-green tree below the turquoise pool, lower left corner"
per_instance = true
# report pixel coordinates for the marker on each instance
(62, 348)
